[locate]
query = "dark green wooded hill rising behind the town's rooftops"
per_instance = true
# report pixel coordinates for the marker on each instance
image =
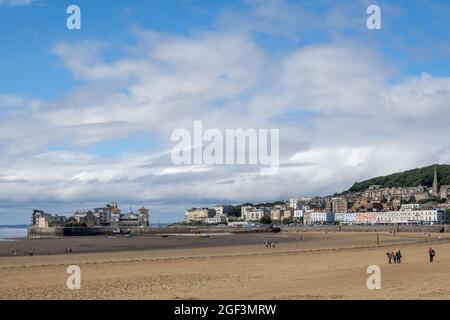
(411, 178)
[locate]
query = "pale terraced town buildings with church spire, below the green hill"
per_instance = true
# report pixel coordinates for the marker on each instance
(375, 205)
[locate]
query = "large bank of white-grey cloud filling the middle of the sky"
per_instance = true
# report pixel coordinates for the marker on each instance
(341, 118)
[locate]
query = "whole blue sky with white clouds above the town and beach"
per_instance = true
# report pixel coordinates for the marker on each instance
(86, 116)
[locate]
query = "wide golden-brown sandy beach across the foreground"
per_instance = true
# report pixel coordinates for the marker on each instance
(322, 266)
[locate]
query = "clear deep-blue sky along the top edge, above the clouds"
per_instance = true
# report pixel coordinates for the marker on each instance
(28, 33)
